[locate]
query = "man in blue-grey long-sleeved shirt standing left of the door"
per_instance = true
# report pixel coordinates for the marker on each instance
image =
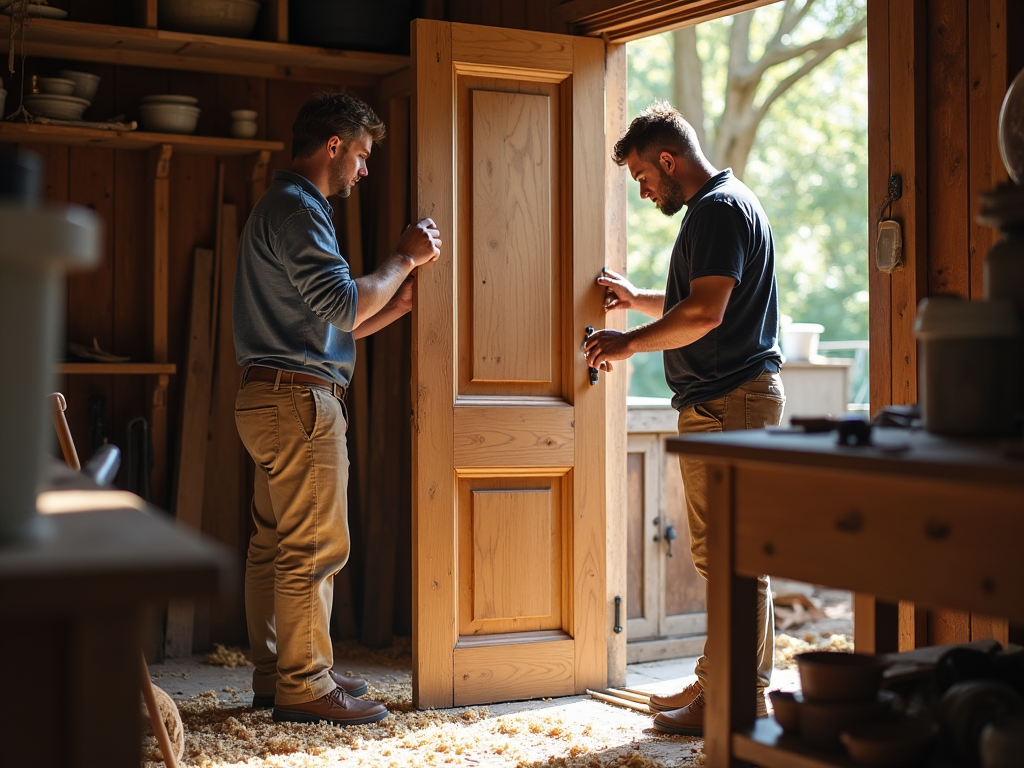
(297, 312)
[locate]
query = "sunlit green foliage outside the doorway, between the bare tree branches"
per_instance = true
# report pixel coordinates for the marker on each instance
(808, 166)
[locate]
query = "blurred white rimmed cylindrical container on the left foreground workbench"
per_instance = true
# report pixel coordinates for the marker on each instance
(37, 247)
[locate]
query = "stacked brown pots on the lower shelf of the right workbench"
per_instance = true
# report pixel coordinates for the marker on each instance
(840, 691)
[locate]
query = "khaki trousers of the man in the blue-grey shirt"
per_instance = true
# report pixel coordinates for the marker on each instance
(296, 436)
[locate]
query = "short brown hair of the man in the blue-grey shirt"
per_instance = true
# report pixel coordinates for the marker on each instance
(326, 115)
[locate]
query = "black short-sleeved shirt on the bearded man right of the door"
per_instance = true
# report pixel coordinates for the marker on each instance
(726, 232)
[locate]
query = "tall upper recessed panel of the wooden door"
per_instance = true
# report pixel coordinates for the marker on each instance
(510, 193)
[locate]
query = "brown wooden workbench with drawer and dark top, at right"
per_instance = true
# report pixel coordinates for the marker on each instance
(913, 517)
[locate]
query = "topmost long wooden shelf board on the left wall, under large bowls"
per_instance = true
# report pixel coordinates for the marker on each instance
(177, 51)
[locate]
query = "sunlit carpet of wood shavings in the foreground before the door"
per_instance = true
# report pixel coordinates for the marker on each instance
(575, 733)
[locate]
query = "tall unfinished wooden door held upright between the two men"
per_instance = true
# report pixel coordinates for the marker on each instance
(509, 444)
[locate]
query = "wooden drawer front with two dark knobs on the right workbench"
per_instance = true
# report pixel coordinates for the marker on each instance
(944, 544)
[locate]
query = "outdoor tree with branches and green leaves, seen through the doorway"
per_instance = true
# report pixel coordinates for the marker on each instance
(780, 96)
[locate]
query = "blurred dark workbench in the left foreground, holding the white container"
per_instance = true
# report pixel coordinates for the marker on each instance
(73, 609)
